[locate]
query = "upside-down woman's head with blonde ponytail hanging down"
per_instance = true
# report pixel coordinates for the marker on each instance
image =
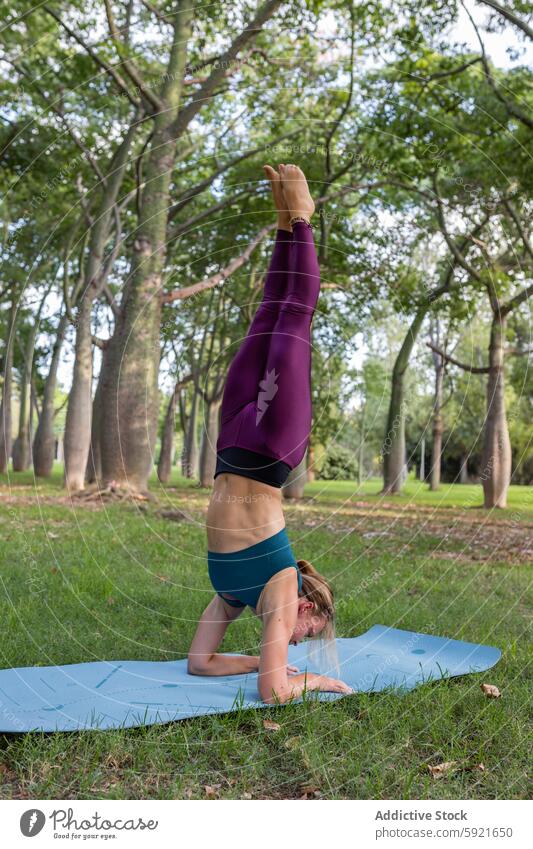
(315, 606)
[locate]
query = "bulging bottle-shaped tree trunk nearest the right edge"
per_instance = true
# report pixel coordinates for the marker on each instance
(496, 460)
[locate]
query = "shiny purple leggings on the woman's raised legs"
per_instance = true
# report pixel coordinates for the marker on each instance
(267, 397)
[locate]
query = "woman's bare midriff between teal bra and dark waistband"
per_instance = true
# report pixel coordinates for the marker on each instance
(242, 512)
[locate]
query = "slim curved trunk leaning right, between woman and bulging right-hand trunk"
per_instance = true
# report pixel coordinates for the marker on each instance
(393, 449)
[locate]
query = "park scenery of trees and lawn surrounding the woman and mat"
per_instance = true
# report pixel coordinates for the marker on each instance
(136, 231)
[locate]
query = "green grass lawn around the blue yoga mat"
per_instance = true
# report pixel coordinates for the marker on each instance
(117, 581)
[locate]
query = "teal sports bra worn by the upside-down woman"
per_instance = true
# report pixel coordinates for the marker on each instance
(243, 574)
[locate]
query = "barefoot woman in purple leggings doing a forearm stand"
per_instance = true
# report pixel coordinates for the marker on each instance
(265, 423)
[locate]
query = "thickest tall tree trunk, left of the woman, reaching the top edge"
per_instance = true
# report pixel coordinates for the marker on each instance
(132, 397)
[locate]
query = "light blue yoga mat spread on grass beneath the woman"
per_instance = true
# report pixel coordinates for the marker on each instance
(128, 693)
